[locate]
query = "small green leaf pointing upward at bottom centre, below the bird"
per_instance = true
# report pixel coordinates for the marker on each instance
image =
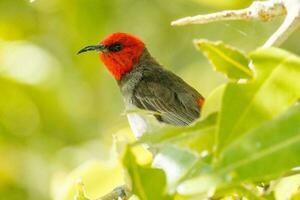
(147, 183)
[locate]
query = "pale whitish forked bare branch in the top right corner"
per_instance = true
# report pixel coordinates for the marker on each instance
(258, 10)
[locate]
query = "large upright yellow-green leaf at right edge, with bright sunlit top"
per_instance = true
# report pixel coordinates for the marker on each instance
(275, 88)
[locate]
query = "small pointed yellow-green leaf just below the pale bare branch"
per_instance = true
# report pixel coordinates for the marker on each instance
(225, 59)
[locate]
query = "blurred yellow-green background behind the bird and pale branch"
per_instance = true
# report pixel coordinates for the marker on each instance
(58, 111)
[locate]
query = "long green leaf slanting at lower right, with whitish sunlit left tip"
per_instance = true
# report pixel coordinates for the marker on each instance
(262, 154)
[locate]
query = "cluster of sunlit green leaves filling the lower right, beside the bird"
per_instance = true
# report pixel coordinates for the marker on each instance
(251, 140)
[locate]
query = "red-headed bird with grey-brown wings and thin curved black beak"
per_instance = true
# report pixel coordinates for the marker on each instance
(147, 85)
